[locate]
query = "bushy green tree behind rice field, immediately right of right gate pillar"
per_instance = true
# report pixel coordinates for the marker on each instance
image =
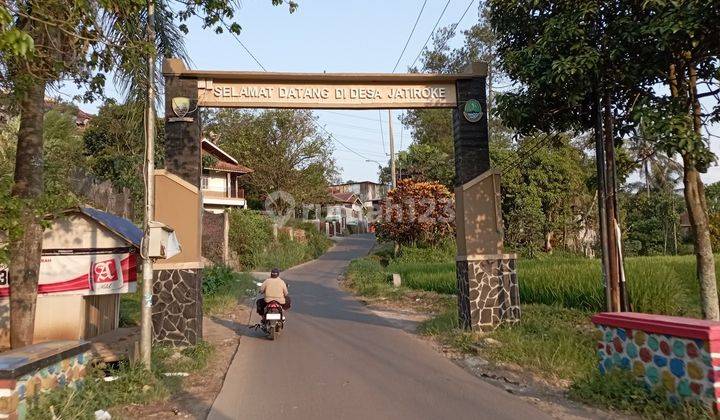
(545, 191)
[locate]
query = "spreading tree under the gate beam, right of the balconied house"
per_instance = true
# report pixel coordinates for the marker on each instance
(283, 147)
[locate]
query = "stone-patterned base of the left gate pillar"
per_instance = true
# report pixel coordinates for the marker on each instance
(177, 307)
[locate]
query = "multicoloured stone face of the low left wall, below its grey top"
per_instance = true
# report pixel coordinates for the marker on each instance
(14, 393)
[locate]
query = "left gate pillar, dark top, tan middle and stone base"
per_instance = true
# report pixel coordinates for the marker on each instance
(177, 292)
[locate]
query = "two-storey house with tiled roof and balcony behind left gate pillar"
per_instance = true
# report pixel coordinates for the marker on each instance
(222, 185)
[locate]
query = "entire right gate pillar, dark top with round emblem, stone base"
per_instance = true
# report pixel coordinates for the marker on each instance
(486, 279)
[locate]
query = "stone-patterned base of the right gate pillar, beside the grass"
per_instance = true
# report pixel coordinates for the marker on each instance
(488, 292)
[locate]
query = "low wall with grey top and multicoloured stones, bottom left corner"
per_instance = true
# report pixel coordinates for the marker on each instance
(41, 367)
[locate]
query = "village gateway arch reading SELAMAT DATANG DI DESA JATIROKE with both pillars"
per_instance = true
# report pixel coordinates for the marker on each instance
(487, 283)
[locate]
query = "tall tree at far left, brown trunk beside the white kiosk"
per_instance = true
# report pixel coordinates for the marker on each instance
(42, 41)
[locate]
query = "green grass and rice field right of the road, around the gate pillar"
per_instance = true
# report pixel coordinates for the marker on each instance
(555, 339)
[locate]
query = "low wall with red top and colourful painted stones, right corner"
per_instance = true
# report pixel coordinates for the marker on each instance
(681, 355)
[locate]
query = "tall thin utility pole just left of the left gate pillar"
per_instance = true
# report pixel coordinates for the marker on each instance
(146, 309)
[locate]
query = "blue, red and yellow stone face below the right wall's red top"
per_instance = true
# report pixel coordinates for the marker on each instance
(681, 366)
